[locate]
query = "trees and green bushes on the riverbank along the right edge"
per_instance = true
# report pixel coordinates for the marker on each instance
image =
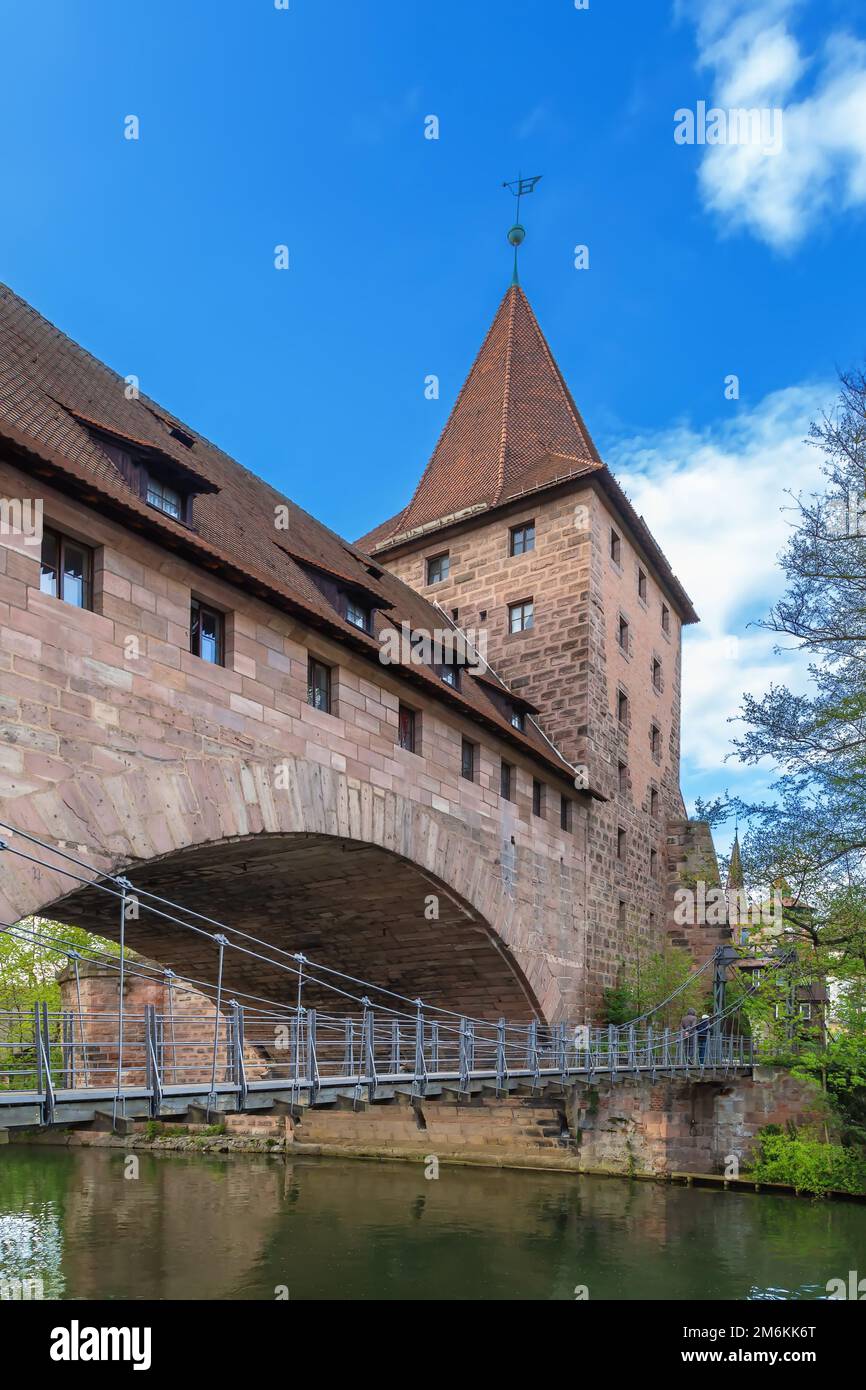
(806, 846)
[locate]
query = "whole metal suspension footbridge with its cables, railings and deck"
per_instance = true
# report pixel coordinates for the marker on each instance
(245, 1053)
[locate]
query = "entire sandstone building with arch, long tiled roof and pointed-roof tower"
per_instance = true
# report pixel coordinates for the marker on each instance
(193, 690)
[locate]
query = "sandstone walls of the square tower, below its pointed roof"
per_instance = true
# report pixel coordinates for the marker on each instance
(572, 667)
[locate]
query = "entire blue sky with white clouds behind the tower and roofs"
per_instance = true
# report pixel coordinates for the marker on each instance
(305, 127)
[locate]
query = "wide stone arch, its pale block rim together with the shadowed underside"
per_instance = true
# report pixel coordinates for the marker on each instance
(362, 879)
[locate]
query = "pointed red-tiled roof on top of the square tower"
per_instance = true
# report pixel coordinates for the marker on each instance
(514, 427)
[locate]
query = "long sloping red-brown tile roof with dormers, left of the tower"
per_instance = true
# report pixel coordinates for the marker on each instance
(52, 390)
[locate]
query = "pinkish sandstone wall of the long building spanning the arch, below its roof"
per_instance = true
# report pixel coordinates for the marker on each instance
(117, 740)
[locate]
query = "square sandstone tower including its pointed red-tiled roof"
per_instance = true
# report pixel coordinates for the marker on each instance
(518, 529)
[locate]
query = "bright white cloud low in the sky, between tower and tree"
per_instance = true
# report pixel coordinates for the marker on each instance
(717, 501)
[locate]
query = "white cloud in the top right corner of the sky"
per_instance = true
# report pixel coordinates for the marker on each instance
(755, 60)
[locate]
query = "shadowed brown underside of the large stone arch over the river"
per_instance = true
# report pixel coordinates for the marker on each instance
(345, 904)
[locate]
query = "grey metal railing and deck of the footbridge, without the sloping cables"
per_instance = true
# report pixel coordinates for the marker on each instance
(73, 1053)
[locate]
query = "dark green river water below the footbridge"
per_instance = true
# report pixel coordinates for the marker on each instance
(254, 1227)
